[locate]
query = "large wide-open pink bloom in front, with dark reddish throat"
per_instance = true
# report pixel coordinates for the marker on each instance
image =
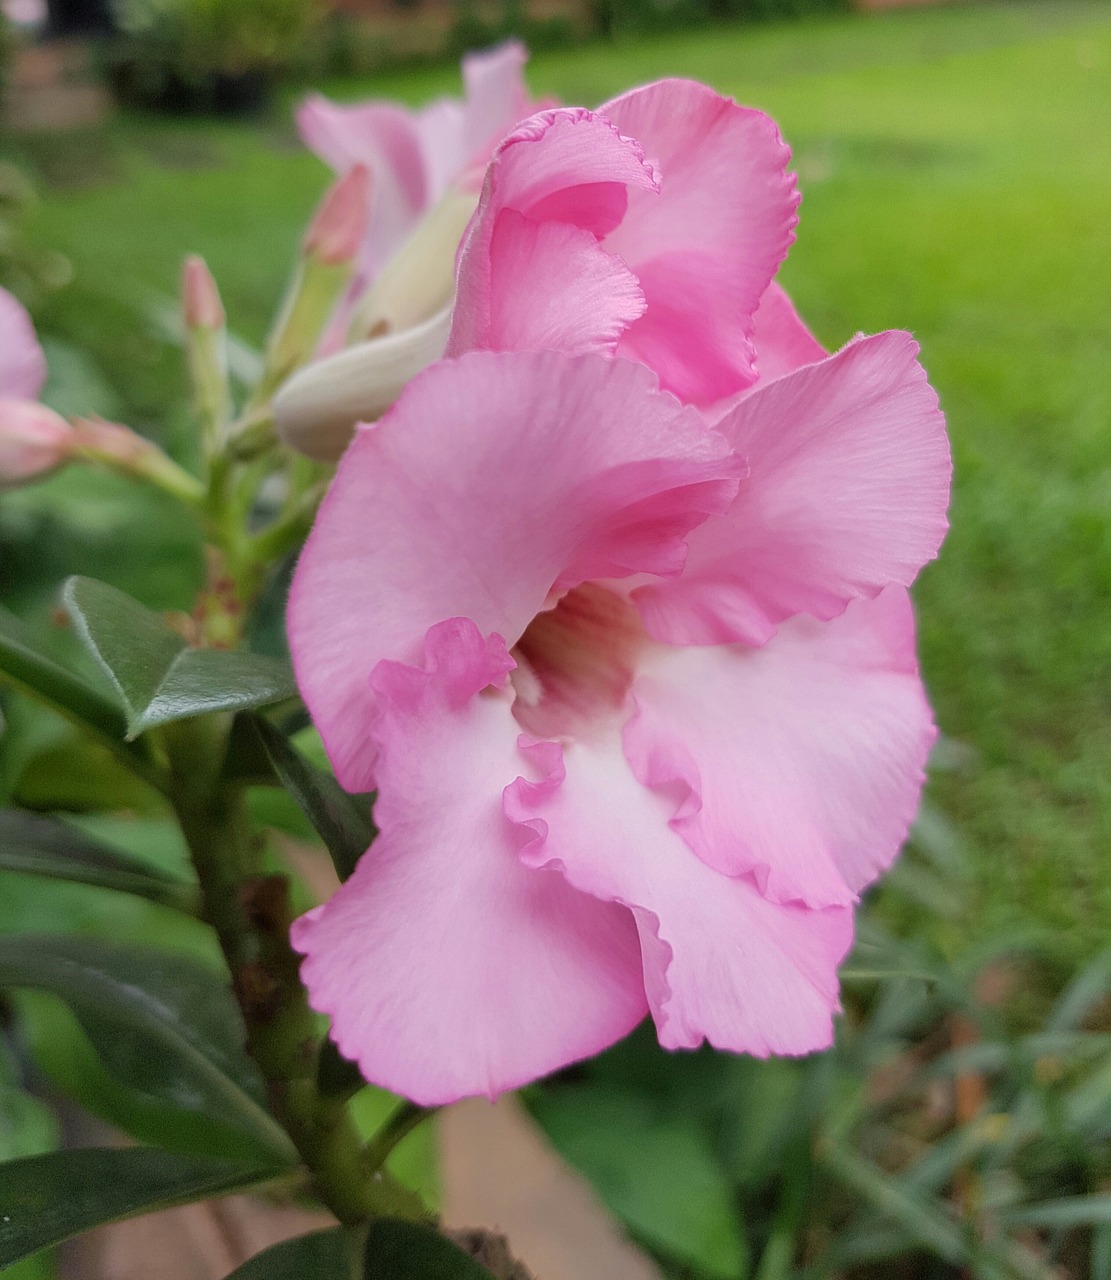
(639, 697)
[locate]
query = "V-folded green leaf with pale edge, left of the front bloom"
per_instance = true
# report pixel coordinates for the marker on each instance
(158, 678)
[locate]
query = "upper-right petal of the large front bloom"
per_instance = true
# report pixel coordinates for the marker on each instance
(848, 493)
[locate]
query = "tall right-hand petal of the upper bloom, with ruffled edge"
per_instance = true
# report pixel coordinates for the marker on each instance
(707, 248)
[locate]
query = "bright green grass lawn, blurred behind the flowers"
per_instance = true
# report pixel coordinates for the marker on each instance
(957, 170)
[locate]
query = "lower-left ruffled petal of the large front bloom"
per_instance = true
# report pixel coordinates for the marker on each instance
(449, 968)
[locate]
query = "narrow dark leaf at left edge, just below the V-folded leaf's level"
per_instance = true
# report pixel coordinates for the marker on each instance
(42, 847)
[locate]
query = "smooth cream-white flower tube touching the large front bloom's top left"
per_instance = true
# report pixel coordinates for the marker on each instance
(318, 409)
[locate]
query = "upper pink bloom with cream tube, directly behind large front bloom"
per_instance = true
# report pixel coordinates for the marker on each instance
(650, 230)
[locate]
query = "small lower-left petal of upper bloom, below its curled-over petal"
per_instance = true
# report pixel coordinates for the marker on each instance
(570, 278)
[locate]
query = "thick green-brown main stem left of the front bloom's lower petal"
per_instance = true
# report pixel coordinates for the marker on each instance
(252, 915)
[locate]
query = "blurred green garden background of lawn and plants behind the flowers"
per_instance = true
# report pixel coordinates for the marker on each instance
(955, 163)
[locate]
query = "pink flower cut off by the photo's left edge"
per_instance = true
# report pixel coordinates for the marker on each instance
(34, 440)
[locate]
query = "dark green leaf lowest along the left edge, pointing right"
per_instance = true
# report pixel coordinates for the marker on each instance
(49, 1199)
